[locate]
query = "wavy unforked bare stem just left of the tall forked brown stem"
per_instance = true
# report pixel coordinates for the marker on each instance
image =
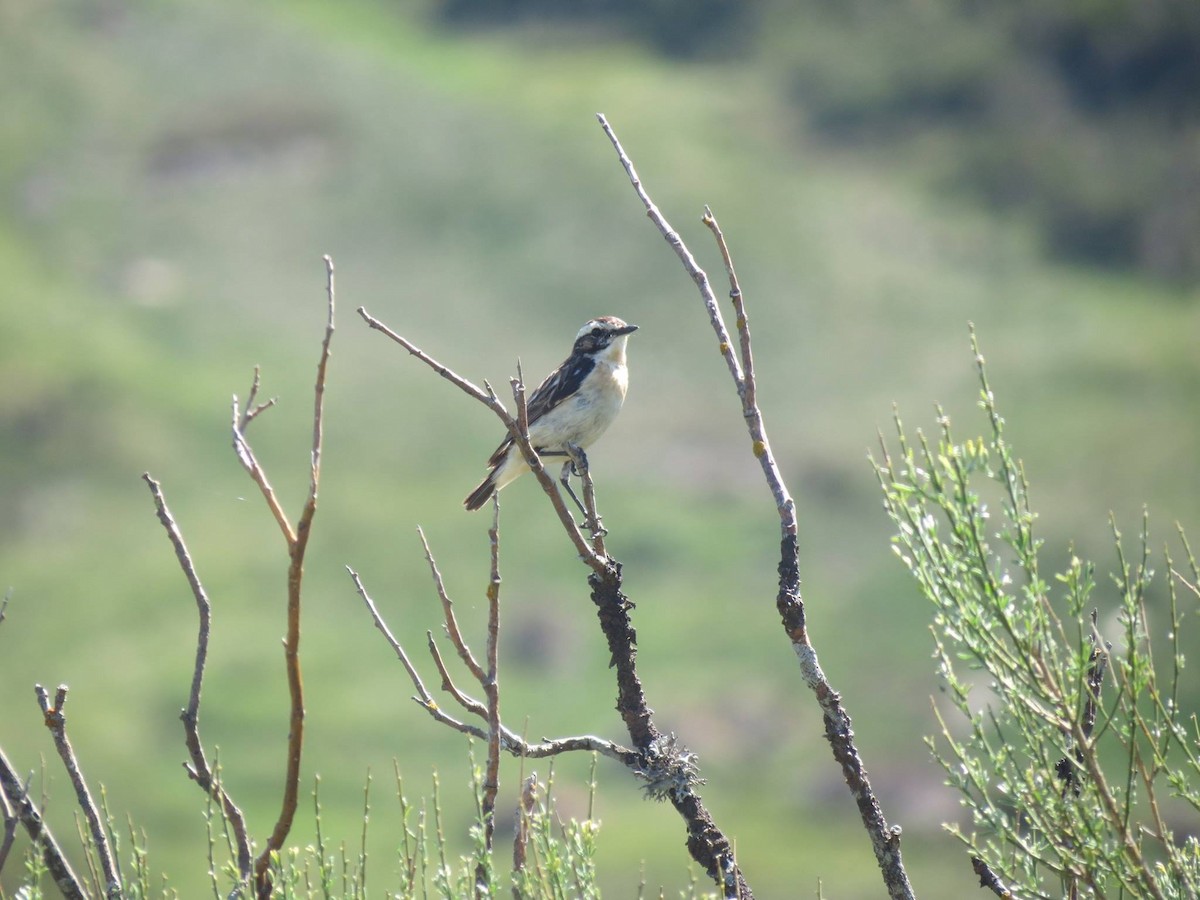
(200, 770)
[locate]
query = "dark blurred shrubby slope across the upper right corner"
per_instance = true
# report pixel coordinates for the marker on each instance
(1082, 117)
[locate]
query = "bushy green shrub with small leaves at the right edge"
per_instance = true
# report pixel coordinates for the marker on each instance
(1069, 754)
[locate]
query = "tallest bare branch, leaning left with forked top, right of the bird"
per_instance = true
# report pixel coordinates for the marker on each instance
(885, 839)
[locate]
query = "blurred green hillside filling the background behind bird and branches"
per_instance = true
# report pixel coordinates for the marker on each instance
(171, 175)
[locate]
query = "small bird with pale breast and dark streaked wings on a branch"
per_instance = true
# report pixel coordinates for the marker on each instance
(572, 409)
